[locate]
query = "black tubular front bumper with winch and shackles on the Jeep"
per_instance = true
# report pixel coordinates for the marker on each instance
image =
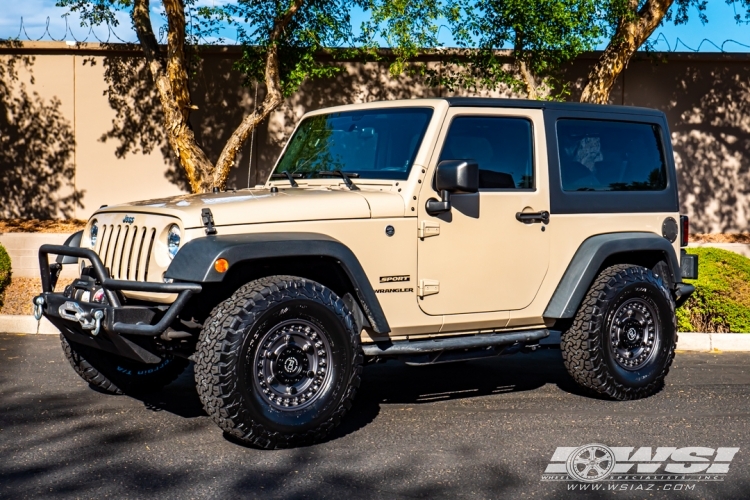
(102, 325)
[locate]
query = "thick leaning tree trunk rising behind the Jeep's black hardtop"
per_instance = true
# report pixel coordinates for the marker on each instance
(630, 34)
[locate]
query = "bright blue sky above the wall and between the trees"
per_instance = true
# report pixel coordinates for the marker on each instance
(720, 27)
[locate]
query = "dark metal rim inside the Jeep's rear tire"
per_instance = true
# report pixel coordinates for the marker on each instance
(634, 333)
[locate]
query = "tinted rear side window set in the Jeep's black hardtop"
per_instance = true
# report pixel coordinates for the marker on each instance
(597, 155)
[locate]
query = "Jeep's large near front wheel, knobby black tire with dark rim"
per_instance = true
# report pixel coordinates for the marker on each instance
(278, 363)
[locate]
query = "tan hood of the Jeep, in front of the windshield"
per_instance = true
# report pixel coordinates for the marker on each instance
(253, 206)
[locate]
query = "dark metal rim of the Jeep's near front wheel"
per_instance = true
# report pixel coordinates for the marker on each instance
(291, 365)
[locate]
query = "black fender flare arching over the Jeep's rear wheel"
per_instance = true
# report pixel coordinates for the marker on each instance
(590, 256)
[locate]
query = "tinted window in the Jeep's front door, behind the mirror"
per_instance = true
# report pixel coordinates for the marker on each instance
(501, 146)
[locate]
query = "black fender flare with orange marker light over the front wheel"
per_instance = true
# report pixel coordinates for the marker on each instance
(195, 261)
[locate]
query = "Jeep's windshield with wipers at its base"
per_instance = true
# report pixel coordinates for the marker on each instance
(371, 144)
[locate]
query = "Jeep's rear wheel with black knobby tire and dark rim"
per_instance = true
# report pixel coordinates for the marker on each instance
(622, 340)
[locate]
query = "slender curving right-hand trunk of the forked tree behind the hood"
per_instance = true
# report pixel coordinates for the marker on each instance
(273, 99)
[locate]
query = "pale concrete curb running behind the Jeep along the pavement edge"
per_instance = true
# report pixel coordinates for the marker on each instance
(687, 341)
